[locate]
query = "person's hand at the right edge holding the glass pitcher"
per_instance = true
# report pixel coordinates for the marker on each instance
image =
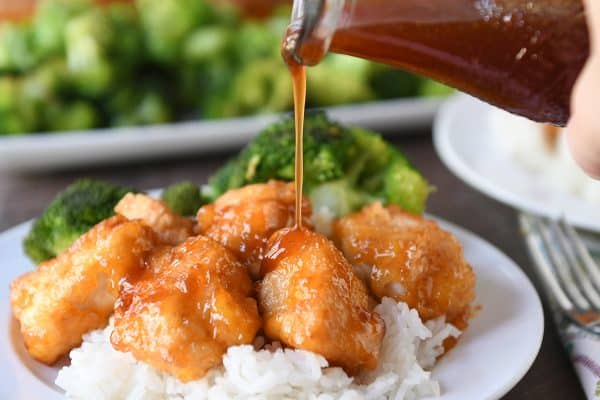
(583, 130)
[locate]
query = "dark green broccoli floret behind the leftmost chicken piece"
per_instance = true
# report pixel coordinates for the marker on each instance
(72, 213)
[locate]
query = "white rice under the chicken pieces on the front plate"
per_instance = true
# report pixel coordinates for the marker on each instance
(409, 349)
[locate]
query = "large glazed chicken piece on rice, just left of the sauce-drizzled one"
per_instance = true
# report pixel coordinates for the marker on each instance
(193, 302)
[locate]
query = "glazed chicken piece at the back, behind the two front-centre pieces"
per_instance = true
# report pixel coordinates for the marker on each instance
(243, 219)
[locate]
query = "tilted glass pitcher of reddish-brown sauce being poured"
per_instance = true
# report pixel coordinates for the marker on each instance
(521, 55)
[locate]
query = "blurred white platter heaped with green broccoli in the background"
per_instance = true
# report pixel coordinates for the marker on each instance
(79, 79)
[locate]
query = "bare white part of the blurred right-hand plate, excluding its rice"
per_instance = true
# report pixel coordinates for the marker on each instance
(464, 141)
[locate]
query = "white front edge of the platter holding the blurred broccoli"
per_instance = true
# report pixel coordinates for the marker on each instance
(40, 152)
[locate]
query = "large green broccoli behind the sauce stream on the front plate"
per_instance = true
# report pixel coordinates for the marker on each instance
(344, 168)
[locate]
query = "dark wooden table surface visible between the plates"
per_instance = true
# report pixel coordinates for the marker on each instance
(551, 376)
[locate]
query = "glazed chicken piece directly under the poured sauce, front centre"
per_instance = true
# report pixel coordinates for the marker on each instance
(310, 299)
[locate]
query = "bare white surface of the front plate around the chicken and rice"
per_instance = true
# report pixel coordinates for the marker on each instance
(492, 356)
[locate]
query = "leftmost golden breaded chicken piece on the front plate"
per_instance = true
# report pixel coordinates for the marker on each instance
(76, 292)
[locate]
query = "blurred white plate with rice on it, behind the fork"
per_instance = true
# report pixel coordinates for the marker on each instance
(506, 158)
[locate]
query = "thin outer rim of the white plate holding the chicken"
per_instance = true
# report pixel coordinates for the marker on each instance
(509, 266)
